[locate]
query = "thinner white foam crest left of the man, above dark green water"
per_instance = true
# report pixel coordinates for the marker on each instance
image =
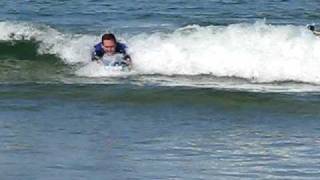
(71, 48)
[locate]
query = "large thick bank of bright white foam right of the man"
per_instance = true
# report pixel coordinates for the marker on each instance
(258, 52)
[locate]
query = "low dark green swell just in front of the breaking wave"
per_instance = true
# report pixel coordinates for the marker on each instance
(291, 104)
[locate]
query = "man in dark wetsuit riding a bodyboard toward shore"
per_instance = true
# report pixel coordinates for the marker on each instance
(110, 47)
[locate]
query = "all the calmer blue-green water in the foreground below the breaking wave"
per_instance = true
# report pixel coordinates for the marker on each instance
(103, 131)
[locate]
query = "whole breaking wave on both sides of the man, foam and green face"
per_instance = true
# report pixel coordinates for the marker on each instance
(257, 52)
